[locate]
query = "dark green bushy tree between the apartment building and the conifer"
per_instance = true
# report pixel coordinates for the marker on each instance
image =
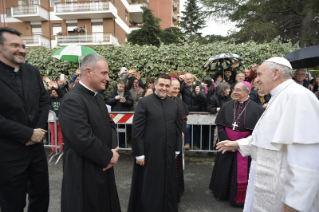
(150, 32)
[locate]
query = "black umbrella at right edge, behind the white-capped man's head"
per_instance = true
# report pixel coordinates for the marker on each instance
(304, 58)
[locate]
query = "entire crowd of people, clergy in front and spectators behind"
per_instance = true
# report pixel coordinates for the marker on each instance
(265, 159)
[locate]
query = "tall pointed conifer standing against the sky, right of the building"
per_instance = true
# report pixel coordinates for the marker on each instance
(193, 19)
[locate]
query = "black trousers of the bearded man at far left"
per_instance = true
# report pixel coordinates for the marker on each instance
(25, 176)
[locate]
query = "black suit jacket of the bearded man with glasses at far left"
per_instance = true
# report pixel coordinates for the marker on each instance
(19, 115)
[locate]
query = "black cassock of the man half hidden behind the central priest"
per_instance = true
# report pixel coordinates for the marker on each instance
(179, 160)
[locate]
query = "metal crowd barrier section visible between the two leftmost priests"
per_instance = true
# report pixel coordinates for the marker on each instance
(53, 119)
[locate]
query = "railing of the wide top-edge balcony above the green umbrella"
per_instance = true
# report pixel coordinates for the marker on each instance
(81, 6)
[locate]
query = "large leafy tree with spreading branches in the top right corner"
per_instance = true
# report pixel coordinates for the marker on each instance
(263, 21)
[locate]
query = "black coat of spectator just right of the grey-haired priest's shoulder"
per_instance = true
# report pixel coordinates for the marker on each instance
(115, 104)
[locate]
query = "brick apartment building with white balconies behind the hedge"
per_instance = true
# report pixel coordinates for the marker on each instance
(51, 23)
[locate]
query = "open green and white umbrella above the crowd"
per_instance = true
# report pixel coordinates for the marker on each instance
(73, 53)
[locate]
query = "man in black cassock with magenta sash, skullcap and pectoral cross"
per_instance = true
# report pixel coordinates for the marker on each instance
(235, 120)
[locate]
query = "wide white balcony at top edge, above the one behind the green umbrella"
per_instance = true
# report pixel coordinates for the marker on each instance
(85, 10)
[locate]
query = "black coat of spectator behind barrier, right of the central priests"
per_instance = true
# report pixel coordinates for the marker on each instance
(193, 101)
